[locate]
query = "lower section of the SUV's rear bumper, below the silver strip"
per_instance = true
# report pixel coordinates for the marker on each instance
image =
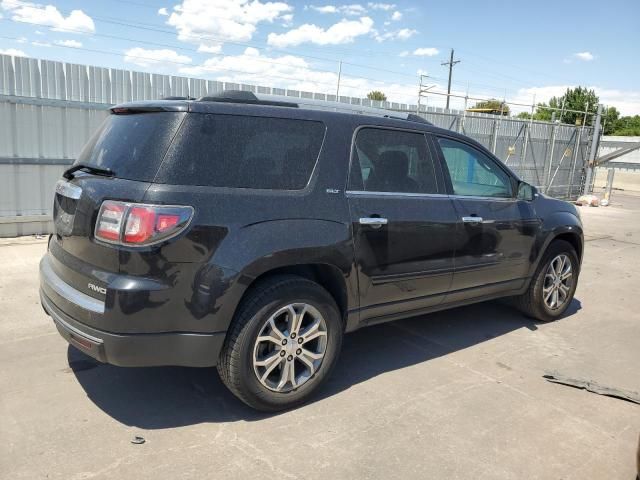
(136, 350)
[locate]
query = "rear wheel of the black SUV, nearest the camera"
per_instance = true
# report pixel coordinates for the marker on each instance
(282, 344)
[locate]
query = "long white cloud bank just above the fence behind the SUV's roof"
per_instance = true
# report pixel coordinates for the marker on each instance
(288, 71)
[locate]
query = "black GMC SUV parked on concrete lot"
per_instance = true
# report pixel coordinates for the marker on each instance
(252, 234)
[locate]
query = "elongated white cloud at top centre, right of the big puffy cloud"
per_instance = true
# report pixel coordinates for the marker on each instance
(344, 31)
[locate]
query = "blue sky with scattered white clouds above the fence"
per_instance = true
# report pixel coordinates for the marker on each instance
(513, 50)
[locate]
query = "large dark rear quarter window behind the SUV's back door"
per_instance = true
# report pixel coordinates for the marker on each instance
(243, 152)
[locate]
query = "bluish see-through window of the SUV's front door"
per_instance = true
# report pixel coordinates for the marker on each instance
(472, 172)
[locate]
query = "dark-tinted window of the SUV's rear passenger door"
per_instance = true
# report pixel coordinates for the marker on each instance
(391, 161)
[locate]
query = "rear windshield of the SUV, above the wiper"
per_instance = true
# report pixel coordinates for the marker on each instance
(134, 145)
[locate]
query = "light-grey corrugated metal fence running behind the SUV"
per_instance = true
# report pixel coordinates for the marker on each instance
(49, 109)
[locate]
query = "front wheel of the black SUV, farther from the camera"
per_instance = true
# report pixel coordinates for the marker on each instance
(553, 285)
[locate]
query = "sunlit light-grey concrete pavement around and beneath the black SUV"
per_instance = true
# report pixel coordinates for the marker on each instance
(453, 395)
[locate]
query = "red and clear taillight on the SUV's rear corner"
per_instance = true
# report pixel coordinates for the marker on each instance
(134, 224)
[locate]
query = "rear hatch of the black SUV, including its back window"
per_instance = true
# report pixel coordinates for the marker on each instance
(118, 163)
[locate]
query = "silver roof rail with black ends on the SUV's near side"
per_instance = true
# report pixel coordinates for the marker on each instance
(243, 96)
